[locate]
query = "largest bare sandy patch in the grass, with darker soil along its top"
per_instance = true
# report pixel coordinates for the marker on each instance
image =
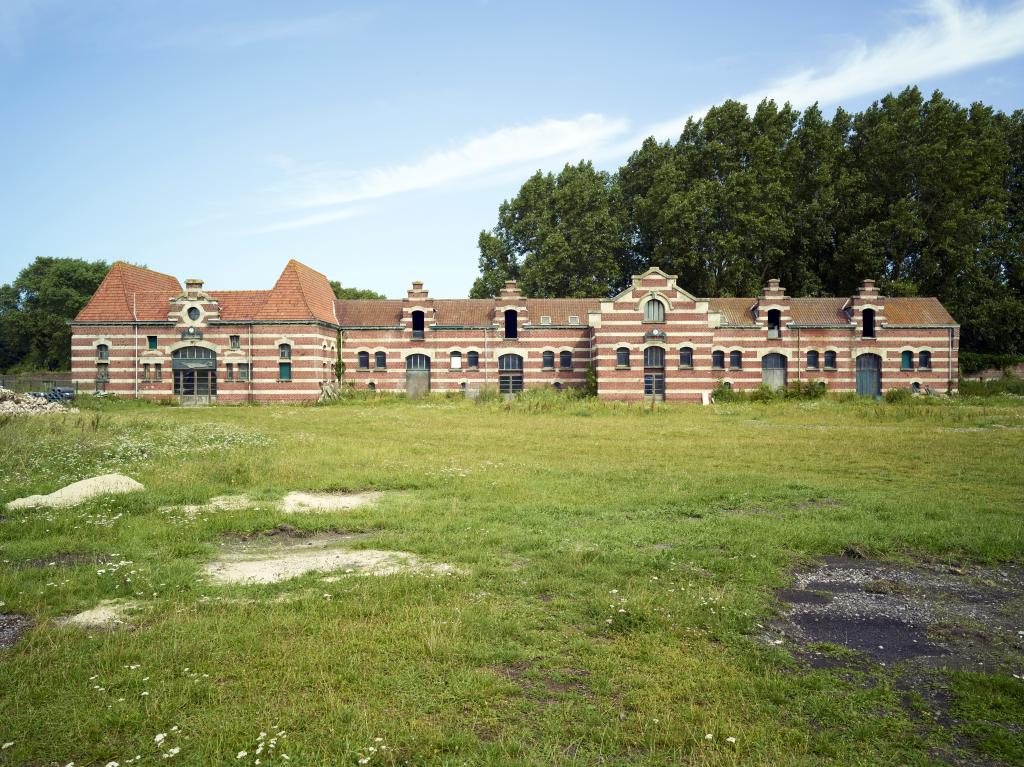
(287, 557)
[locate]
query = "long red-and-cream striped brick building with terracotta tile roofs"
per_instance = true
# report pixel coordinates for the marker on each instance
(144, 335)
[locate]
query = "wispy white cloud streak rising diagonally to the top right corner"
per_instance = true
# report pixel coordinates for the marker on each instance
(945, 36)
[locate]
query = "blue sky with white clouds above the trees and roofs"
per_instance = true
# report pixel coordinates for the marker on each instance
(374, 141)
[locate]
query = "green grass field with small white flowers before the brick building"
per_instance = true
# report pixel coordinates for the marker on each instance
(617, 569)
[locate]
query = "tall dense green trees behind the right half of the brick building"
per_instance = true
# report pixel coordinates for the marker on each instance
(924, 195)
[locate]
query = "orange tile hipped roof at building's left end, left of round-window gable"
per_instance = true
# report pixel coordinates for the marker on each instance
(125, 286)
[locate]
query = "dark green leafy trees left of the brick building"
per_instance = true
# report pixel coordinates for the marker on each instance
(36, 311)
